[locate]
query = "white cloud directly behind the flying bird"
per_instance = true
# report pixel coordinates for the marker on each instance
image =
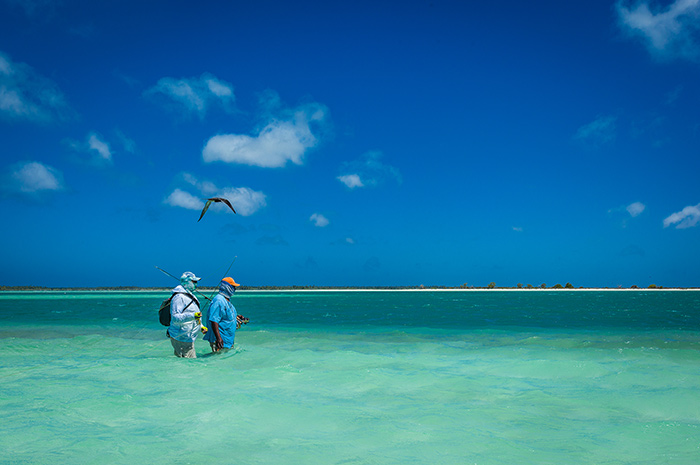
(246, 201)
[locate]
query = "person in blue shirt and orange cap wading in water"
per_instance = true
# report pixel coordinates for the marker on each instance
(222, 319)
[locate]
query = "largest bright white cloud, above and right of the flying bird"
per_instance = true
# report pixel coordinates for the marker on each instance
(281, 140)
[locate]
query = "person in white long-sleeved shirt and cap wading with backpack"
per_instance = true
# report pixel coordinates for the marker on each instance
(185, 316)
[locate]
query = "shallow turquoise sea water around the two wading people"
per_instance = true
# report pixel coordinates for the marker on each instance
(529, 377)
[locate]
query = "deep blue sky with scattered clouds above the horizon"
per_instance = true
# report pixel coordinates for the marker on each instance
(361, 143)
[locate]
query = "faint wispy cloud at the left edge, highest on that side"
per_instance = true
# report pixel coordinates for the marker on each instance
(26, 95)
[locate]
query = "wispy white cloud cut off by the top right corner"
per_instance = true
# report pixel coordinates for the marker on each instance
(668, 33)
